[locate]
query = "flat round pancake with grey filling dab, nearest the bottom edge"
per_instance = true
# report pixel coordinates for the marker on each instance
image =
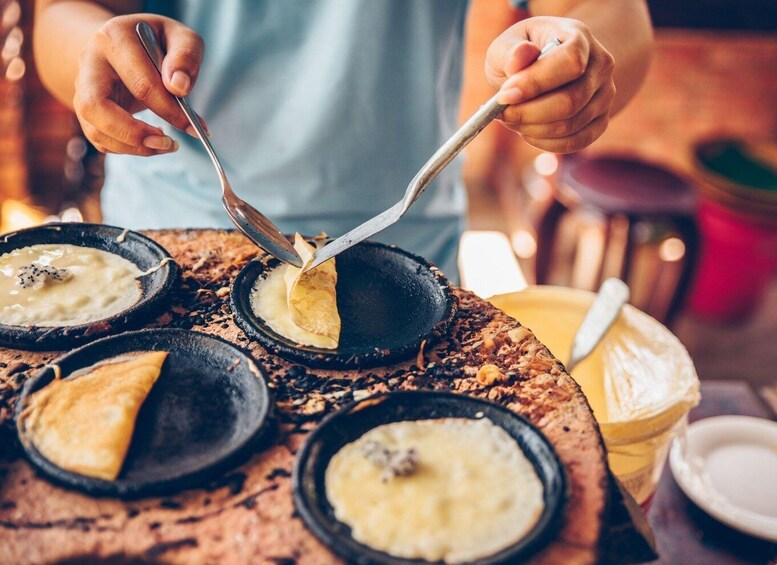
(450, 489)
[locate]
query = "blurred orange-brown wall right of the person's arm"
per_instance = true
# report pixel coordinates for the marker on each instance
(700, 84)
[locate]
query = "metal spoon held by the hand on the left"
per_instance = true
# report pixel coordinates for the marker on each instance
(254, 225)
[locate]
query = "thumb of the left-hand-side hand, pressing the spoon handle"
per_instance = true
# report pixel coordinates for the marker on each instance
(181, 64)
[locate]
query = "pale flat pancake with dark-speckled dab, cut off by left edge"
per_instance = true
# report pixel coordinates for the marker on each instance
(64, 285)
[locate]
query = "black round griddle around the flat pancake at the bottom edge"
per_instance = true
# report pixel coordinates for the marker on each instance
(353, 421)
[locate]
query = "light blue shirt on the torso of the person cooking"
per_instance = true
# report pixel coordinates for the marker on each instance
(320, 110)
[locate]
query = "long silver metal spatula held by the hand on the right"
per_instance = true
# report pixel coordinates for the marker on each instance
(444, 155)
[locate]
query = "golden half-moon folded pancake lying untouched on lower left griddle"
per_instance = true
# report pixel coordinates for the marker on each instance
(84, 423)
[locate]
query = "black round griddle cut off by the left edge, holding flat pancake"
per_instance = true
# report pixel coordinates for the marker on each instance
(137, 248)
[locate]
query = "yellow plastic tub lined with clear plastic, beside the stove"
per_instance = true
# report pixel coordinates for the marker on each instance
(640, 380)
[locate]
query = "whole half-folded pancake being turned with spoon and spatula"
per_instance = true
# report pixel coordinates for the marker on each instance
(301, 306)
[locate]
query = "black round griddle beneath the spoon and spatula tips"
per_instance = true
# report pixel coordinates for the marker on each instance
(390, 302)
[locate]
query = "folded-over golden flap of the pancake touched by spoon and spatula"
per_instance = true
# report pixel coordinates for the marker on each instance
(312, 296)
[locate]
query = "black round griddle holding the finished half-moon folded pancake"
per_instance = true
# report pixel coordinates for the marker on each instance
(208, 409)
